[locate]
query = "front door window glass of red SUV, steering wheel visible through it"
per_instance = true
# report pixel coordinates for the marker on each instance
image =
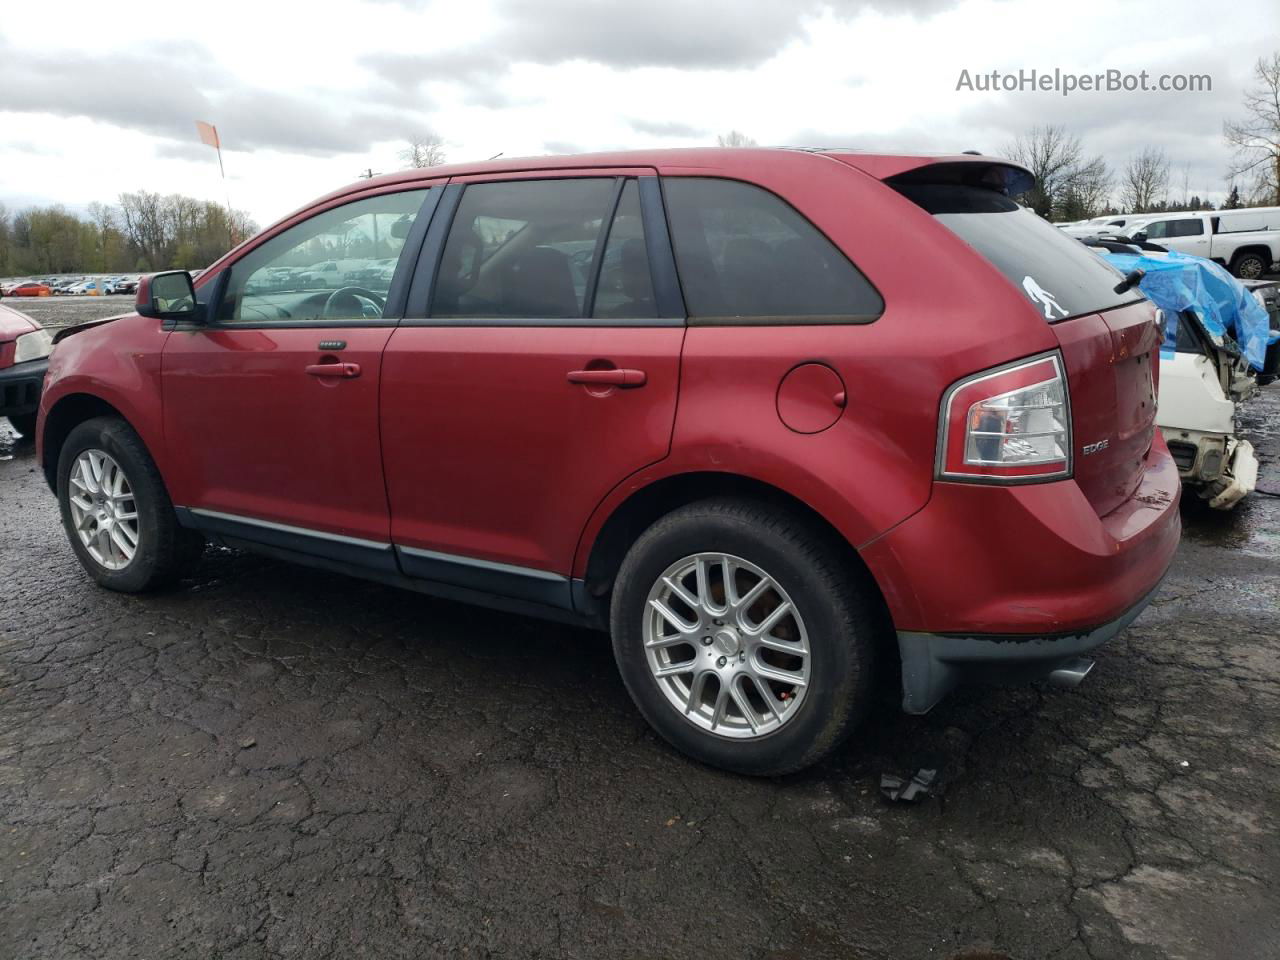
(336, 266)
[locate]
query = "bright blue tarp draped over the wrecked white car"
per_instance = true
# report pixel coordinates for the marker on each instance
(1176, 282)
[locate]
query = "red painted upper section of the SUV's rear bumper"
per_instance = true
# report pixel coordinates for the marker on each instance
(1027, 561)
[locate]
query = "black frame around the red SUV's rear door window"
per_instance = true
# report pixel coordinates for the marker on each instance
(662, 267)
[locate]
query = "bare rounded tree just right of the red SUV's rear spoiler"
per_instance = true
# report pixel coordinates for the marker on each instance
(1068, 185)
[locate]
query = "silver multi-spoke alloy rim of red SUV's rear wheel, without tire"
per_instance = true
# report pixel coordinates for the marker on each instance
(726, 646)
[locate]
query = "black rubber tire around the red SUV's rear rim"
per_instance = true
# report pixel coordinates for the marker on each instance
(835, 604)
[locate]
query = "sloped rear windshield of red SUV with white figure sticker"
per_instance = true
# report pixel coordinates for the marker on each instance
(1055, 272)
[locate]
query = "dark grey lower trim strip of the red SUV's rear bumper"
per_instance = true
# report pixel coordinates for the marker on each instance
(934, 664)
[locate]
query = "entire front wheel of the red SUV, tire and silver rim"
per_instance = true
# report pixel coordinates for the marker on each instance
(117, 513)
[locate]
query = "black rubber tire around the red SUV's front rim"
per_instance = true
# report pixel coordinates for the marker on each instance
(166, 550)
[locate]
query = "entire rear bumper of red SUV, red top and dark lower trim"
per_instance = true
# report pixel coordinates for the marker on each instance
(1012, 583)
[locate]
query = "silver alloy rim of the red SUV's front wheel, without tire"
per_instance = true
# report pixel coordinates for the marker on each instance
(103, 510)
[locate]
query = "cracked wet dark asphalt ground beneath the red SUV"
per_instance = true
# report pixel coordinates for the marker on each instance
(276, 762)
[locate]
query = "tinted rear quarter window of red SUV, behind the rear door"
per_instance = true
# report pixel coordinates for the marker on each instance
(744, 253)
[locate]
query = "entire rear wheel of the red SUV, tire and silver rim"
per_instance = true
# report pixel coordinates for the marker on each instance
(743, 638)
